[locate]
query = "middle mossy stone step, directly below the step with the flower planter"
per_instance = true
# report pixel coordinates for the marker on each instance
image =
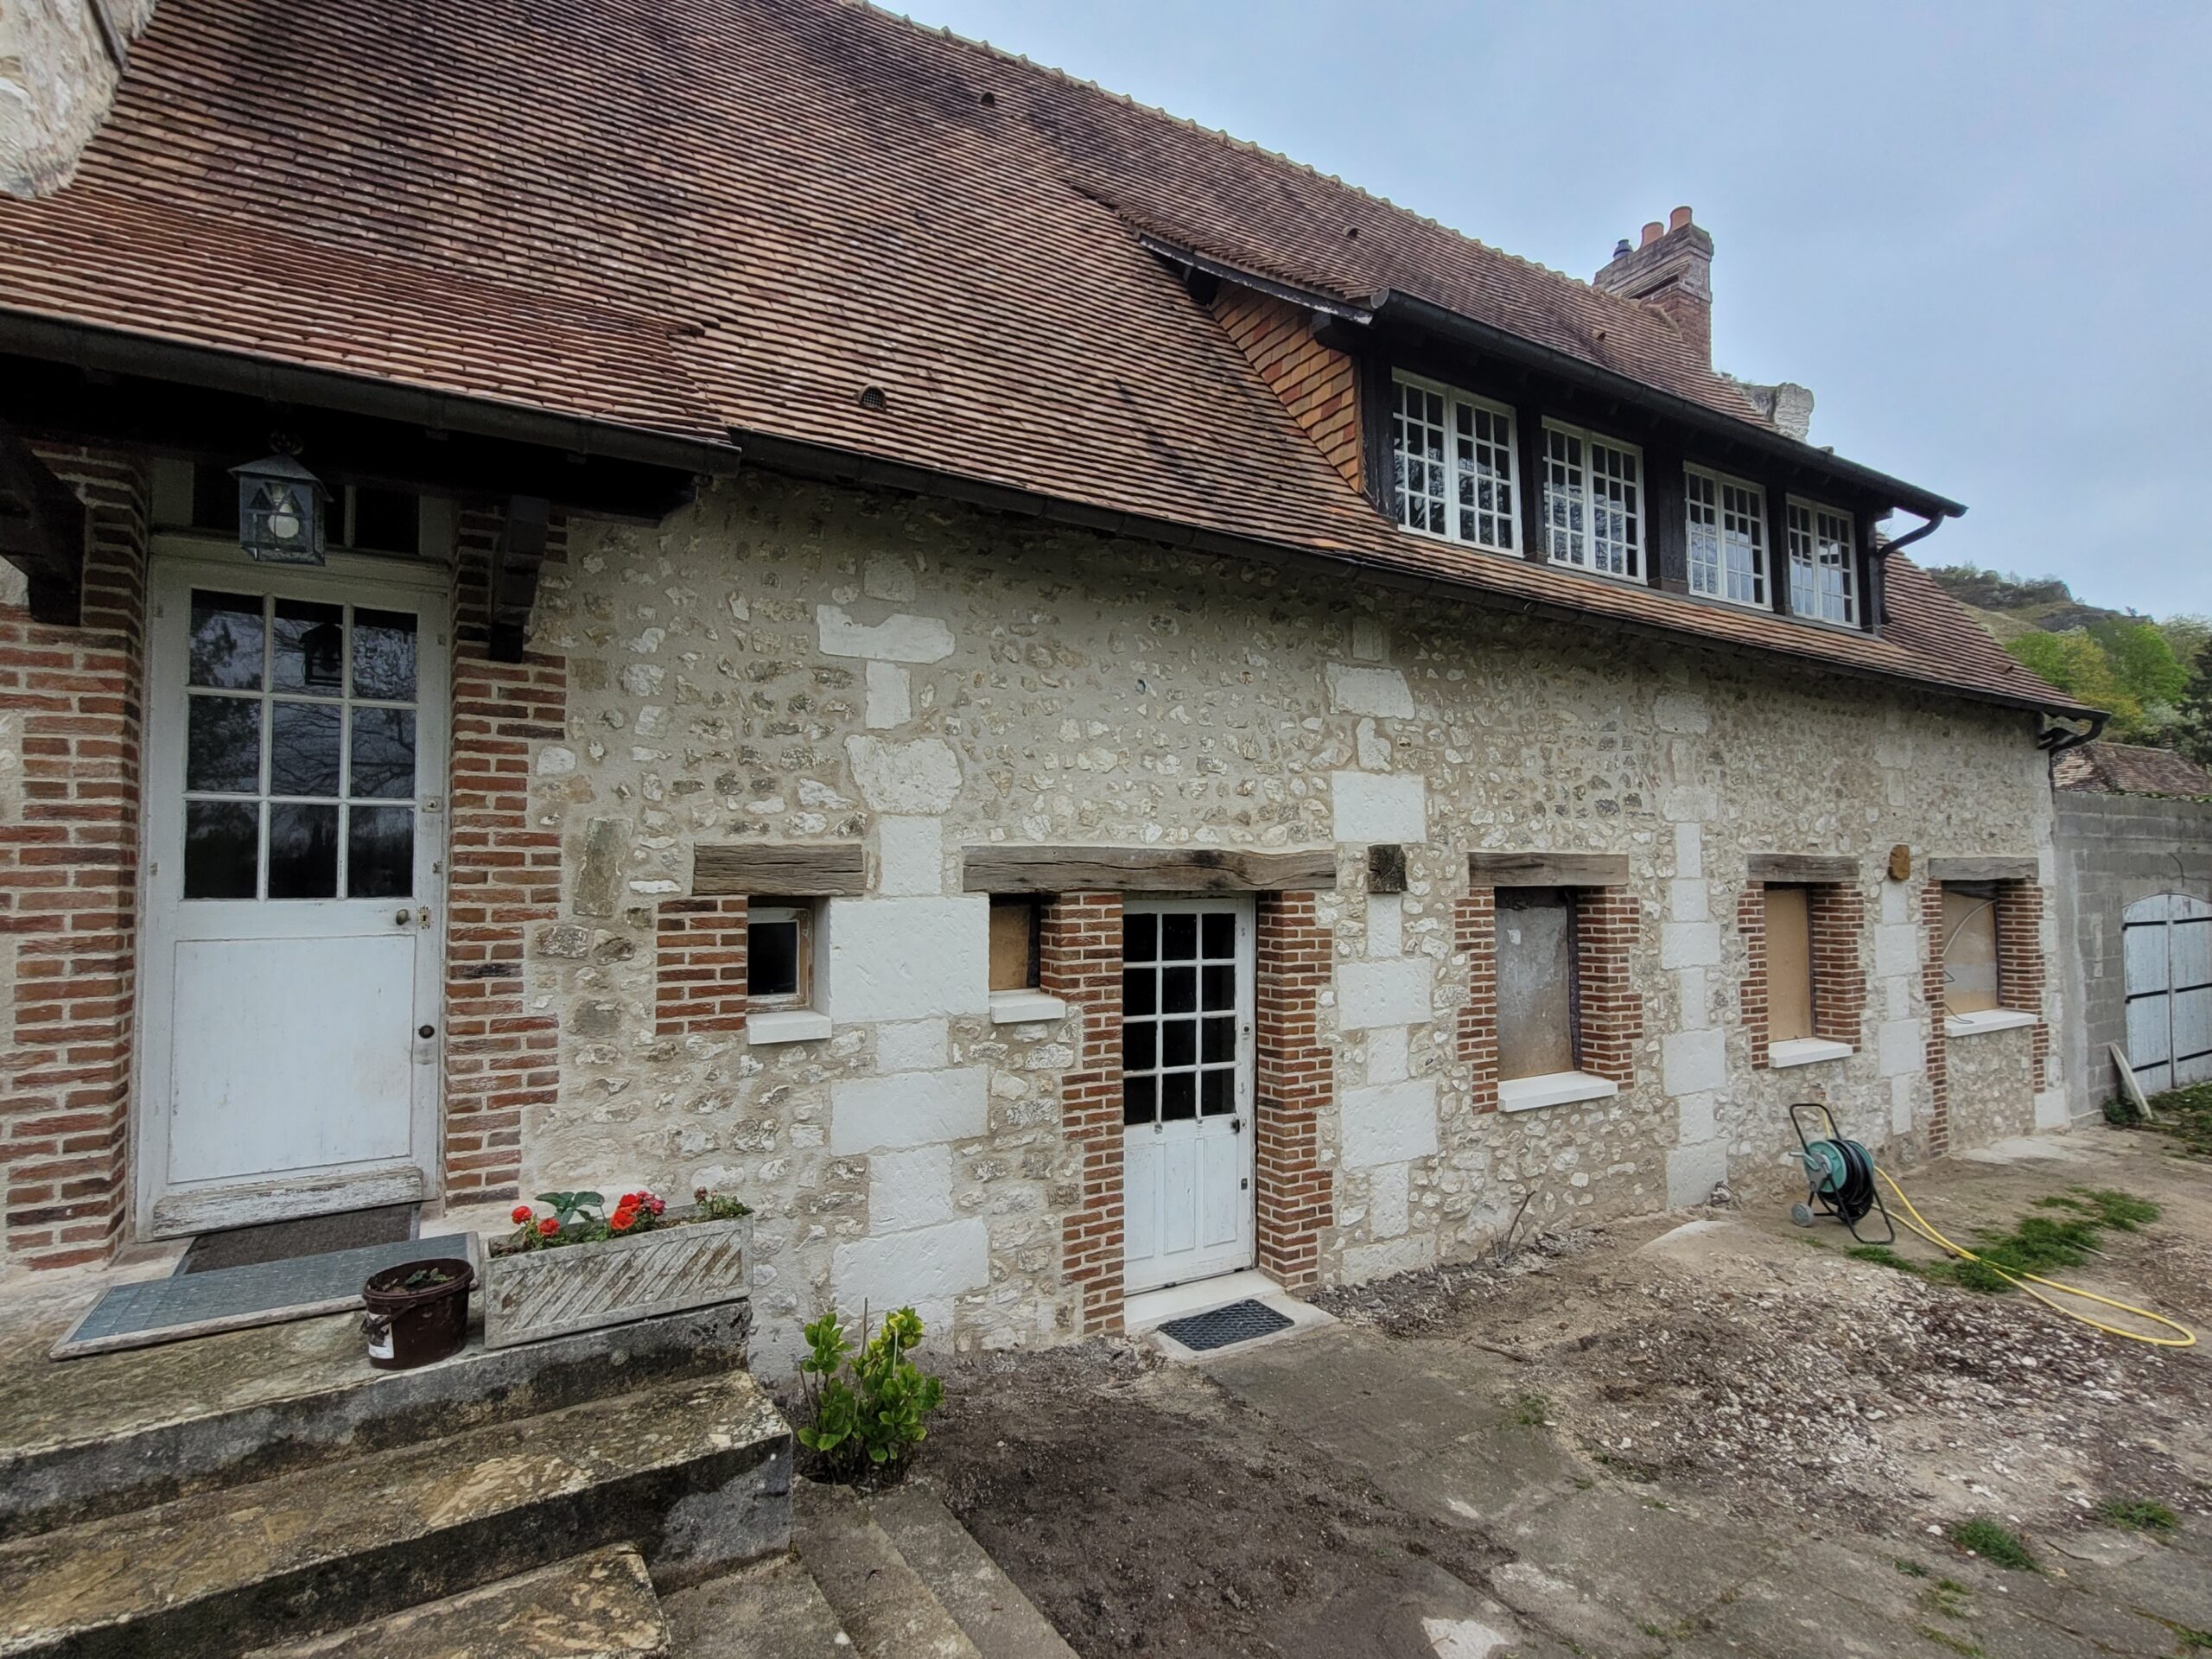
(696, 1474)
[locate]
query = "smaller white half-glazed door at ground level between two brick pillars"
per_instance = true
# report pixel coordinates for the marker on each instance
(1187, 1089)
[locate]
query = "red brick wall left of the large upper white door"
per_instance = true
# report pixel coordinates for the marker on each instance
(70, 888)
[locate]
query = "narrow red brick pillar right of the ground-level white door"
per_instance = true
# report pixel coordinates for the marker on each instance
(1297, 1081)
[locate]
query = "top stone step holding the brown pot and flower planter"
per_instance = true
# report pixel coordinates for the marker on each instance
(121, 1432)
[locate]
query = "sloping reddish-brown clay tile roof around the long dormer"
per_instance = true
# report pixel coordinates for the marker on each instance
(711, 218)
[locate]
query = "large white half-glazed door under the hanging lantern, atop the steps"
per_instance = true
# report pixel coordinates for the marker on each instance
(293, 893)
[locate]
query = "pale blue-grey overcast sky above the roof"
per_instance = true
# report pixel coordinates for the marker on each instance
(1981, 233)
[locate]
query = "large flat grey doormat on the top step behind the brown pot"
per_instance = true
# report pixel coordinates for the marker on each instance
(227, 1300)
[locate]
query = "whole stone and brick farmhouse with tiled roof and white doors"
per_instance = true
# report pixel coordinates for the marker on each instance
(1050, 698)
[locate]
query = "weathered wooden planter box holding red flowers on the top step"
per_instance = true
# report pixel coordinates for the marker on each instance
(576, 1288)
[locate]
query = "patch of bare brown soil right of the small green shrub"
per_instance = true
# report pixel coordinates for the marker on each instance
(1147, 1512)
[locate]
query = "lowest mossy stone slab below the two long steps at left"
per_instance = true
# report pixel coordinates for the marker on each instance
(589, 1607)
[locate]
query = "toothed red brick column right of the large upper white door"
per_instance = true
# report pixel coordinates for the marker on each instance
(501, 1056)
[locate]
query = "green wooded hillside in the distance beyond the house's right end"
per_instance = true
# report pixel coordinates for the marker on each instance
(2153, 674)
